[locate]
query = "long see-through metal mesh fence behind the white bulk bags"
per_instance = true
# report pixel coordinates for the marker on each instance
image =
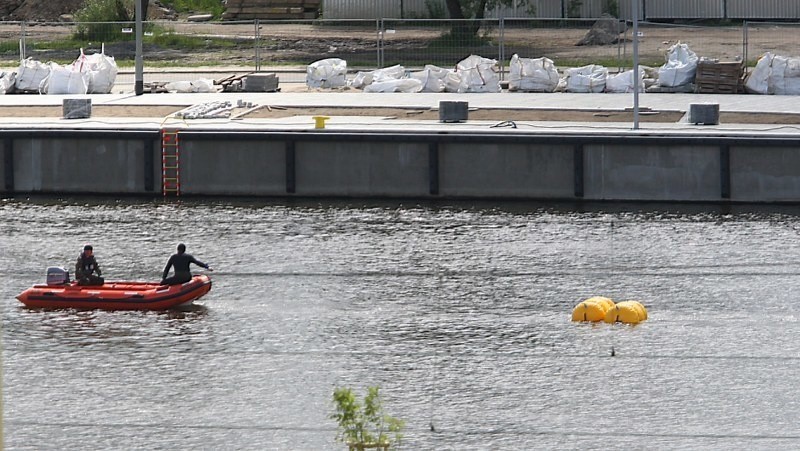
(287, 47)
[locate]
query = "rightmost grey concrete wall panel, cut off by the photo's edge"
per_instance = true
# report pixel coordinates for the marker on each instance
(765, 174)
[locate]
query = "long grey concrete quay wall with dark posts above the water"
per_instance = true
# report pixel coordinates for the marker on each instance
(408, 165)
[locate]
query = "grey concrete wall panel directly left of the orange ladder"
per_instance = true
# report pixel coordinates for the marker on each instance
(79, 165)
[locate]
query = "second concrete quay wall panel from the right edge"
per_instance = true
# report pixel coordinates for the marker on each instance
(669, 173)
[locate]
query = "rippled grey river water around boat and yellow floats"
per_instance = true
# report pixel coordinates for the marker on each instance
(459, 312)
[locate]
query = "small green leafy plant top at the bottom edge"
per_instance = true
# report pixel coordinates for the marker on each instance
(364, 425)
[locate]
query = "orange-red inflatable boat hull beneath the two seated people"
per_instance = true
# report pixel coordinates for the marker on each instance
(116, 295)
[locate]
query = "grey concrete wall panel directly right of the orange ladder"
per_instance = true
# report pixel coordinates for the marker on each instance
(229, 168)
